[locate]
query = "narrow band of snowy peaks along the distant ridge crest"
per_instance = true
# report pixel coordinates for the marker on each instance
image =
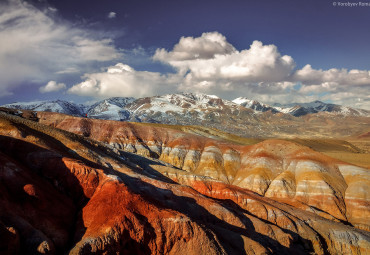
(124, 108)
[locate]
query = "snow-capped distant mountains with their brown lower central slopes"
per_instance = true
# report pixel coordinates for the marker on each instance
(183, 108)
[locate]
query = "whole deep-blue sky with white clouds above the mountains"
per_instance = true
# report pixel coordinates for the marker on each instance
(272, 51)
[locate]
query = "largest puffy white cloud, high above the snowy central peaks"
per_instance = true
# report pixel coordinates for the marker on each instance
(212, 57)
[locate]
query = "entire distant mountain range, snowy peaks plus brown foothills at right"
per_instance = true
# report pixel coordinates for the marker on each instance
(241, 116)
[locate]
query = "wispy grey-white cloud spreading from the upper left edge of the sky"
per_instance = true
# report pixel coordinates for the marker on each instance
(35, 47)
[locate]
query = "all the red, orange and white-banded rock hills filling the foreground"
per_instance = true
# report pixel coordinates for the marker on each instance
(61, 192)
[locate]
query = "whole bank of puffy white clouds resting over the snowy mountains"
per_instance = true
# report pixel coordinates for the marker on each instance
(210, 64)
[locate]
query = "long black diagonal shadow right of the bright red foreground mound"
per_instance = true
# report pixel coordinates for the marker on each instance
(227, 235)
